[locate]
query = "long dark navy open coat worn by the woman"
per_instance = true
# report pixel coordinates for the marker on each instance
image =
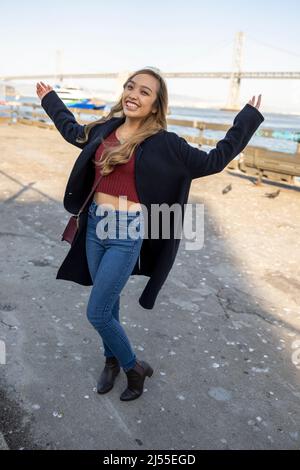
(165, 166)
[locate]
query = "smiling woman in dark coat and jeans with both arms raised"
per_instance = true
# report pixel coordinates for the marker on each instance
(147, 165)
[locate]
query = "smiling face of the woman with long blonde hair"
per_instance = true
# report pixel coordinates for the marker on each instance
(141, 90)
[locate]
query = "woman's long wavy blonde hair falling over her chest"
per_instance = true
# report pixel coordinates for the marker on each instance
(151, 124)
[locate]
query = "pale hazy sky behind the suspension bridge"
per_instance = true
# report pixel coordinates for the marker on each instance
(173, 35)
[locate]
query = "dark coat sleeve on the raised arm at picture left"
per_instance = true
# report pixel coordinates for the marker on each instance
(62, 118)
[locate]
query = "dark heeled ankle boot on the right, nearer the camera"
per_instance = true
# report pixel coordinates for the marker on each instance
(135, 380)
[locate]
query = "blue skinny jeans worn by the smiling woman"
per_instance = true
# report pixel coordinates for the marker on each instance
(111, 257)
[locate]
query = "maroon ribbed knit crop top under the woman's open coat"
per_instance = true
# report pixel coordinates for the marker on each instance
(121, 181)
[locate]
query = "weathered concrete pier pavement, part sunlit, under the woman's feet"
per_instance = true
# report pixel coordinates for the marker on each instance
(223, 338)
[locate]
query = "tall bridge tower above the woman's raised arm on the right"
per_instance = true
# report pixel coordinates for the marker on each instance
(233, 99)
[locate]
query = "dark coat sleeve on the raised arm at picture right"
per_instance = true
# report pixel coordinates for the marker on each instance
(200, 163)
